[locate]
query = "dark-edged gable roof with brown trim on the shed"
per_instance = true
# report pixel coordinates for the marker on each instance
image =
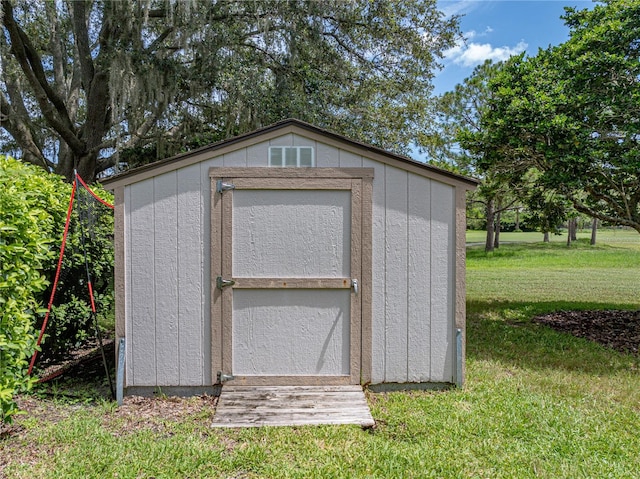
(282, 128)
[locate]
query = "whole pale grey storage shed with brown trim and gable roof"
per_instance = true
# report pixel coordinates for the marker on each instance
(290, 255)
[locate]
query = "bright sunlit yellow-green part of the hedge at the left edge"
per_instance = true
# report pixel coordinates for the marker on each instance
(25, 247)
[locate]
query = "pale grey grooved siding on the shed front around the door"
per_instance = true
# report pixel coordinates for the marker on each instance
(168, 278)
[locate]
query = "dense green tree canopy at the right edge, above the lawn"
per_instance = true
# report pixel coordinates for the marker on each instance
(572, 113)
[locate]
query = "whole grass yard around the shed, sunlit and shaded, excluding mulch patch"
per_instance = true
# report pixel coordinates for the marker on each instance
(537, 403)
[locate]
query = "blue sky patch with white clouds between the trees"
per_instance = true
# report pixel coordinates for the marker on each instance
(497, 29)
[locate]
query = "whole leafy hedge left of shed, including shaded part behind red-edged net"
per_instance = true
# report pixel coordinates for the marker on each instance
(33, 207)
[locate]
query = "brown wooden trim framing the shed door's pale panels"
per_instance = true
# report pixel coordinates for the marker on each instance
(361, 185)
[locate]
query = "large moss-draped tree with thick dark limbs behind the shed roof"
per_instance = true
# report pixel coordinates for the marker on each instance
(94, 85)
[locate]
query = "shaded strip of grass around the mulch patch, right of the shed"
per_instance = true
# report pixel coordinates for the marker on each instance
(504, 332)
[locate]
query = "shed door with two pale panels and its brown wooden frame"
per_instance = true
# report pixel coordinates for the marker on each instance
(287, 274)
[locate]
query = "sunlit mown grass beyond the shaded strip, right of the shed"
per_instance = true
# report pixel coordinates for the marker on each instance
(547, 275)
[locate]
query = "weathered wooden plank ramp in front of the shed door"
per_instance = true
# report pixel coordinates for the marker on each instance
(255, 406)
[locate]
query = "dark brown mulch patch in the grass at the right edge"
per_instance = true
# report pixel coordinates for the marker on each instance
(619, 330)
